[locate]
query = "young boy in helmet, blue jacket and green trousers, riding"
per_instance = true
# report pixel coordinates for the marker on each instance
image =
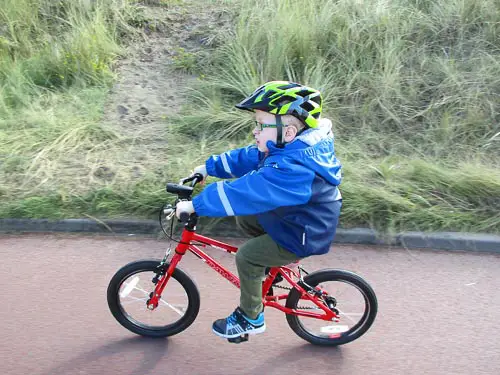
(284, 194)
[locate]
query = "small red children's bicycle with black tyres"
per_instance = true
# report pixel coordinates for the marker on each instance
(325, 307)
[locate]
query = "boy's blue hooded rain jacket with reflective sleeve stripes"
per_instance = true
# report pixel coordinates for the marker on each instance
(292, 191)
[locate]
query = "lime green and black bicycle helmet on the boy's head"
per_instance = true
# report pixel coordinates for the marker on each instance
(286, 98)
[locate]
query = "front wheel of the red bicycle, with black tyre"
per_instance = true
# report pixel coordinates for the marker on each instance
(130, 288)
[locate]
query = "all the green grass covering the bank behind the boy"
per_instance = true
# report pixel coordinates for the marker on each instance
(411, 87)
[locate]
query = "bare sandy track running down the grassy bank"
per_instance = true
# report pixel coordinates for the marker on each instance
(154, 73)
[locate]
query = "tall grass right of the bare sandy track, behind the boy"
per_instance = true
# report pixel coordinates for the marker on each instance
(411, 86)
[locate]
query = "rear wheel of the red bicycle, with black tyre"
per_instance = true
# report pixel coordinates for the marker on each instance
(348, 294)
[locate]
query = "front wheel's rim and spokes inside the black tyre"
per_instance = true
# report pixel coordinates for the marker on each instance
(134, 292)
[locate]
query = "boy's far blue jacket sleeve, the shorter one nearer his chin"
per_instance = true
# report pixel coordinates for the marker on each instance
(234, 163)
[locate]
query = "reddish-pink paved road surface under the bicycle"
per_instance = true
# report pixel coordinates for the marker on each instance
(439, 313)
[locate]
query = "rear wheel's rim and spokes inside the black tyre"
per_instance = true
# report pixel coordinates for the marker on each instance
(353, 310)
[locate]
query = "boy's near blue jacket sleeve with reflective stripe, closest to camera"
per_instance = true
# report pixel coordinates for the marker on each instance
(256, 192)
